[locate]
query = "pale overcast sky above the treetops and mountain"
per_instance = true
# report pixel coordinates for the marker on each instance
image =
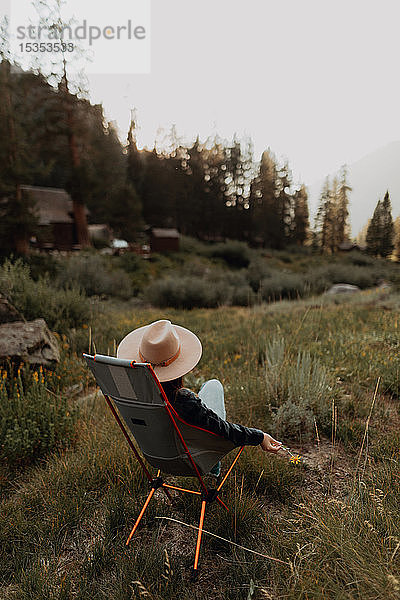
(315, 80)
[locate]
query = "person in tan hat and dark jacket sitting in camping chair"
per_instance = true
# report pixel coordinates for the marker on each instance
(173, 351)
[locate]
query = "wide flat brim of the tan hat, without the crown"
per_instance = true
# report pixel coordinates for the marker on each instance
(189, 356)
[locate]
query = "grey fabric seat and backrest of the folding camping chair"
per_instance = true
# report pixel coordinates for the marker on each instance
(141, 401)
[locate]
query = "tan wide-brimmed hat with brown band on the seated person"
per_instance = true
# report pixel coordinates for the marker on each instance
(172, 350)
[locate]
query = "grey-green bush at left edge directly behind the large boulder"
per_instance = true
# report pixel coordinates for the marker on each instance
(62, 308)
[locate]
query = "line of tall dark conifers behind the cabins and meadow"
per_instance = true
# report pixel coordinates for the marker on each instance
(212, 189)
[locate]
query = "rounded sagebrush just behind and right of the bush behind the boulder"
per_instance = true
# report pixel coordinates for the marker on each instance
(95, 275)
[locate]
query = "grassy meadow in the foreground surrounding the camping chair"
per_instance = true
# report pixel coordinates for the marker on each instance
(321, 374)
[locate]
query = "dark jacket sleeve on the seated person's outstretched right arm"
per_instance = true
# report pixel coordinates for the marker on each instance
(192, 410)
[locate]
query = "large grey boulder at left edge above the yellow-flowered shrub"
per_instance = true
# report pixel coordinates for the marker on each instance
(30, 342)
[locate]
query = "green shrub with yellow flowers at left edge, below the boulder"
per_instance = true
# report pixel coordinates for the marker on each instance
(33, 421)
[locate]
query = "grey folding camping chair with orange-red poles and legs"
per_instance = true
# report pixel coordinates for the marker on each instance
(167, 442)
